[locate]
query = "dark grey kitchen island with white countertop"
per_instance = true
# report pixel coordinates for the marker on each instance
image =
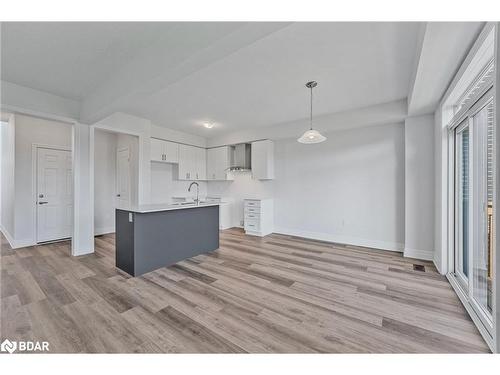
(149, 237)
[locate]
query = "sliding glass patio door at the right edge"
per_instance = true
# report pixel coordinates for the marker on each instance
(474, 197)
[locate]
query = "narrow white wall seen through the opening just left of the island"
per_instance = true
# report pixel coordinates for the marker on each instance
(104, 181)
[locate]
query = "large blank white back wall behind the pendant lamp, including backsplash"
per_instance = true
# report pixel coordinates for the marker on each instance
(349, 189)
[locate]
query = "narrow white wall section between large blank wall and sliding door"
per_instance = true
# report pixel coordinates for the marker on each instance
(419, 187)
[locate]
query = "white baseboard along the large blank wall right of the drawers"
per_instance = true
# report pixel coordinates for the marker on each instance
(347, 240)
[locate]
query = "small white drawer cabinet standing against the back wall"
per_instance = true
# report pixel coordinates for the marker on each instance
(258, 217)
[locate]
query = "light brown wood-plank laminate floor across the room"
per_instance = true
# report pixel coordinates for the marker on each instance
(276, 294)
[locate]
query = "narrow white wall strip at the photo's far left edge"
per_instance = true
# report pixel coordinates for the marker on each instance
(8, 177)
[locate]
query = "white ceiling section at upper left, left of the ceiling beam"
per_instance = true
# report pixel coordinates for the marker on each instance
(71, 59)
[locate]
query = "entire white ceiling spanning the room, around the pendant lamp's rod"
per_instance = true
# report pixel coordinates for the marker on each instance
(236, 75)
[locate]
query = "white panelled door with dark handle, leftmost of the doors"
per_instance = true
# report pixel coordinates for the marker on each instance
(54, 194)
